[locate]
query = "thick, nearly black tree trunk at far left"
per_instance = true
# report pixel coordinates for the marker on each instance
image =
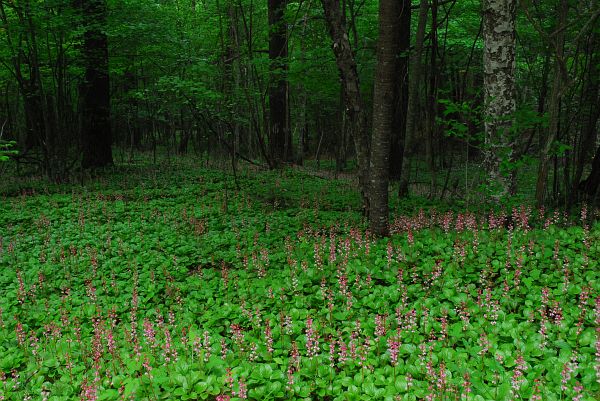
(96, 136)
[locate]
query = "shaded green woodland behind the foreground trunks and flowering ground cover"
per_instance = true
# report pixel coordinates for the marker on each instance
(86, 84)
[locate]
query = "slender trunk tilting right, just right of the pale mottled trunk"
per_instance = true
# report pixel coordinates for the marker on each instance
(554, 106)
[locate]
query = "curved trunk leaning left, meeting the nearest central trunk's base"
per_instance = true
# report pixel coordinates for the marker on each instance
(351, 86)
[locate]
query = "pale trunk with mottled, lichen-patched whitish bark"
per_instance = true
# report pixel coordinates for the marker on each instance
(499, 38)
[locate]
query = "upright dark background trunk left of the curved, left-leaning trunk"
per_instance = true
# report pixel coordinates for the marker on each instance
(280, 145)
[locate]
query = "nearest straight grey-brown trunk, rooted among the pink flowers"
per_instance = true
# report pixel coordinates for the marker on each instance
(383, 115)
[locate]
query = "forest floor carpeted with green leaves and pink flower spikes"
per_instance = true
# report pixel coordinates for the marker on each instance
(168, 282)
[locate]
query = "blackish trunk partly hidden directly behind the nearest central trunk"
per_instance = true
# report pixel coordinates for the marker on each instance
(401, 103)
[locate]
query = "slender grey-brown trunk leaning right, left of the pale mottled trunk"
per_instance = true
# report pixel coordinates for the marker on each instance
(413, 96)
